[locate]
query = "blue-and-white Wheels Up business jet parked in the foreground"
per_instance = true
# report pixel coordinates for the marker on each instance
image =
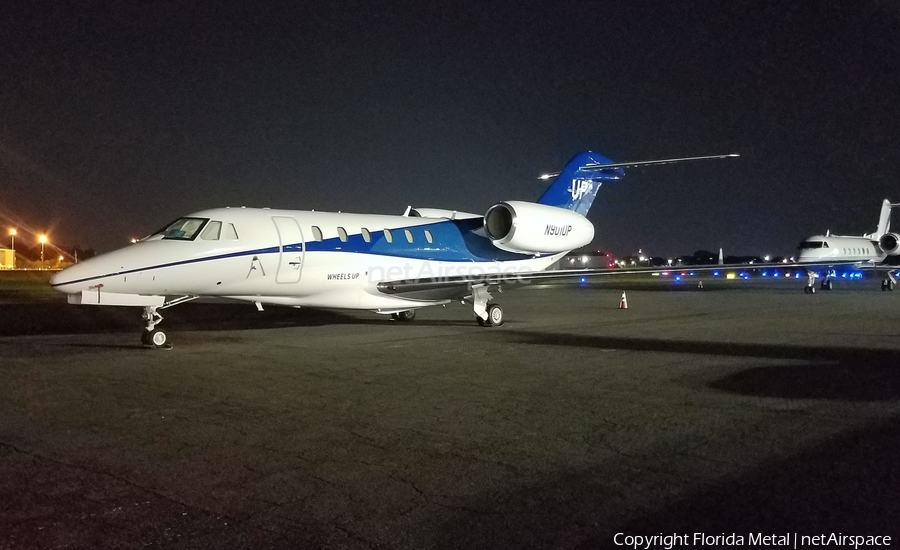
(385, 264)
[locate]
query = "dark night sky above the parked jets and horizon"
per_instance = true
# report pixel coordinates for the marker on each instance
(119, 117)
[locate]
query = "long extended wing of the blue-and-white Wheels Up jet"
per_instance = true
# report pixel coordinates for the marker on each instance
(461, 286)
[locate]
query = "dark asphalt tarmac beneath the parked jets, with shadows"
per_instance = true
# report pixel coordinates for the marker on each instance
(736, 409)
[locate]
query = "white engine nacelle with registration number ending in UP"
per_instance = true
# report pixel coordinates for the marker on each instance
(536, 228)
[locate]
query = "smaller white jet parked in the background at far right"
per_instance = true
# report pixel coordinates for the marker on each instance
(872, 250)
